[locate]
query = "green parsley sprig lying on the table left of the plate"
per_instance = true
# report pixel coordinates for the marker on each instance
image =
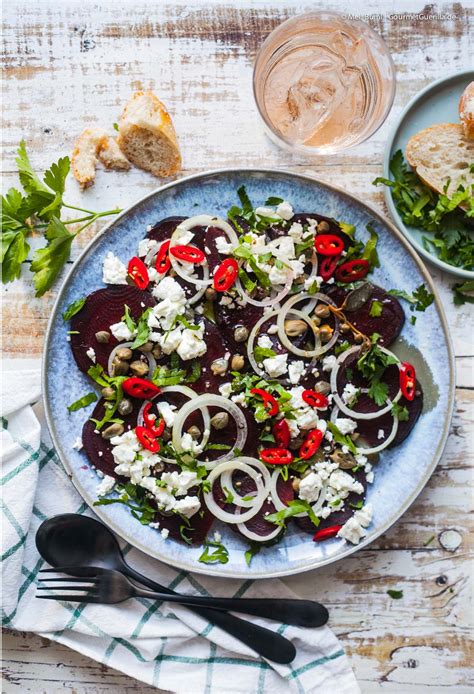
(38, 208)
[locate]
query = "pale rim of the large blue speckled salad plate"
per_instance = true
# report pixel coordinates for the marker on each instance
(209, 570)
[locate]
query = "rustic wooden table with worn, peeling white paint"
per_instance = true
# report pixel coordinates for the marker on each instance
(74, 63)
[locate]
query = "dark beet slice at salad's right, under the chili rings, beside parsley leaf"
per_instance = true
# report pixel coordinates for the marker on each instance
(388, 325)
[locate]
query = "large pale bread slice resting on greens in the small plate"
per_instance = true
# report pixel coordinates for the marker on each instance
(442, 154)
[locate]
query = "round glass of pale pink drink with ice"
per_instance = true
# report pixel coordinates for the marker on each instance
(323, 83)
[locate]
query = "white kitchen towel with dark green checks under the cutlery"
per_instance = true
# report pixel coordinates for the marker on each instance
(166, 646)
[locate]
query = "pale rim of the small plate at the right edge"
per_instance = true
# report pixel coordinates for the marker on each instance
(419, 96)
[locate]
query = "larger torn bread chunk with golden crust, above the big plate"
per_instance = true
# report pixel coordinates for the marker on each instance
(147, 136)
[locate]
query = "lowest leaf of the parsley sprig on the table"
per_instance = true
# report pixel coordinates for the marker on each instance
(49, 261)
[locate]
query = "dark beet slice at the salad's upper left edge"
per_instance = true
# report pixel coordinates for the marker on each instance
(102, 309)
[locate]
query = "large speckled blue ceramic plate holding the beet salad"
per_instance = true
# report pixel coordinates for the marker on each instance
(401, 473)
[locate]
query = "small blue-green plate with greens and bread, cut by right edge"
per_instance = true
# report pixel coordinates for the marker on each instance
(437, 103)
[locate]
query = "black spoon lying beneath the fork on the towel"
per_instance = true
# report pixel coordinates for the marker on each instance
(74, 540)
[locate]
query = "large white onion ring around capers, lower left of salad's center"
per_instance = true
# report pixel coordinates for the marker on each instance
(204, 401)
